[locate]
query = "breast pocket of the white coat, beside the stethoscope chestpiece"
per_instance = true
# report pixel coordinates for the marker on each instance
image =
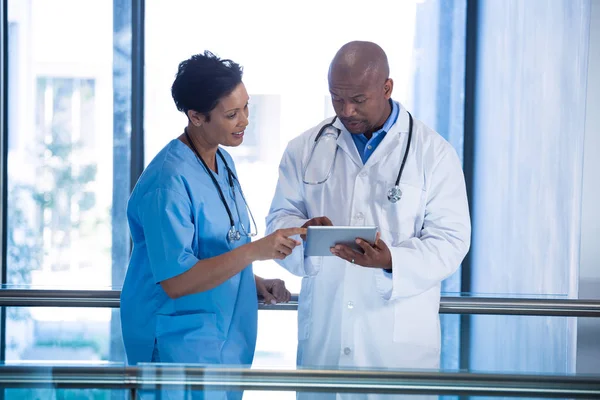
(401, 220)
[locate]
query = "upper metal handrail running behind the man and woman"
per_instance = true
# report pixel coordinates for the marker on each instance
(448, 304)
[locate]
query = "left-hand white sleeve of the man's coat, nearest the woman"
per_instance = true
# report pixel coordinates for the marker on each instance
(288, 209)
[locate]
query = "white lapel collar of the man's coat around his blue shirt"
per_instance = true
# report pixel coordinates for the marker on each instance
(387, 145)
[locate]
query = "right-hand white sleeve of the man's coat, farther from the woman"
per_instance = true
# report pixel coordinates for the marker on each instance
(420, 263)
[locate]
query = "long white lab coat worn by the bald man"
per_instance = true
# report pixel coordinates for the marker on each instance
(351, 316)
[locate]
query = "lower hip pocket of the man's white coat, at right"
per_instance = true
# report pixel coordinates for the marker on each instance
(417, 321)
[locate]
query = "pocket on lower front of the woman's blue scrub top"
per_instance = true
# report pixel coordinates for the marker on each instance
(189, 338)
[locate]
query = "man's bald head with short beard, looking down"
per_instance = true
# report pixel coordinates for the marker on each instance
(360, 87)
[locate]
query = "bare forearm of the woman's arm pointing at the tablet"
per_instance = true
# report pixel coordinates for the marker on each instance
(209, 273)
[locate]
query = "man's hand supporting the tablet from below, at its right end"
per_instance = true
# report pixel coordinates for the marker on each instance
(374, 255)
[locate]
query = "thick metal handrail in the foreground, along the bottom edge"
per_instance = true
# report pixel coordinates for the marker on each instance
(341, 381)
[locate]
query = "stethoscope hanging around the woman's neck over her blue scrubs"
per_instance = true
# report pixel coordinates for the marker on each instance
(233, 234)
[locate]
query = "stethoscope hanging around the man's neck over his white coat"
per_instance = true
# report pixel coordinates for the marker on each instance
(328, 135)
